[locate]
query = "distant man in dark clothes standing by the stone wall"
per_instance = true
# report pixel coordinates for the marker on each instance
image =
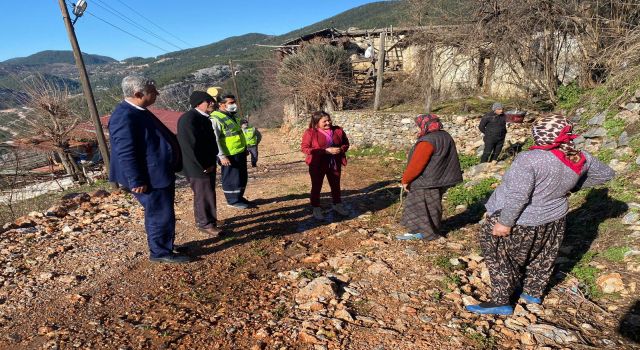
(494, 127)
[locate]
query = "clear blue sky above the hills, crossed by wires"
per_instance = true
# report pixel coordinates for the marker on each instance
(30, 26)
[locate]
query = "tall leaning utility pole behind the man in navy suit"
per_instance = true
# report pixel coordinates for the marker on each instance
(86, 85)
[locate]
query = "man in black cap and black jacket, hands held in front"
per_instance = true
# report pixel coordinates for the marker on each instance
(199, 150)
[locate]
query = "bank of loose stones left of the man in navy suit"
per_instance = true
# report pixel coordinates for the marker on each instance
(59, 247)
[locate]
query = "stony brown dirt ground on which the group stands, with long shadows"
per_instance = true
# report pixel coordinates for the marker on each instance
(241, 291)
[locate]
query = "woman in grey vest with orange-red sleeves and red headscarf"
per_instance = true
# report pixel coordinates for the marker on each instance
(432, 168)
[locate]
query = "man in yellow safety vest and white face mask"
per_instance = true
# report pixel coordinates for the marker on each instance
(232, 152)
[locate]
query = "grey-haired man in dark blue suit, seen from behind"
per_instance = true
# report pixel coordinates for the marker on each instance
(145, 155)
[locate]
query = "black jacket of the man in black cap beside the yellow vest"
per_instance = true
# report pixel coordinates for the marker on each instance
(197, 142)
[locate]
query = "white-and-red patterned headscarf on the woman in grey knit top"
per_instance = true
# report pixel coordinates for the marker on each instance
(553, 133)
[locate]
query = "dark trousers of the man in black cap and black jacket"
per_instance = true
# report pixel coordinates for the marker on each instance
(204, 200)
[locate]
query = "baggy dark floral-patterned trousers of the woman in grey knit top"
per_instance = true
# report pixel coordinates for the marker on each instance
(526, 256)
